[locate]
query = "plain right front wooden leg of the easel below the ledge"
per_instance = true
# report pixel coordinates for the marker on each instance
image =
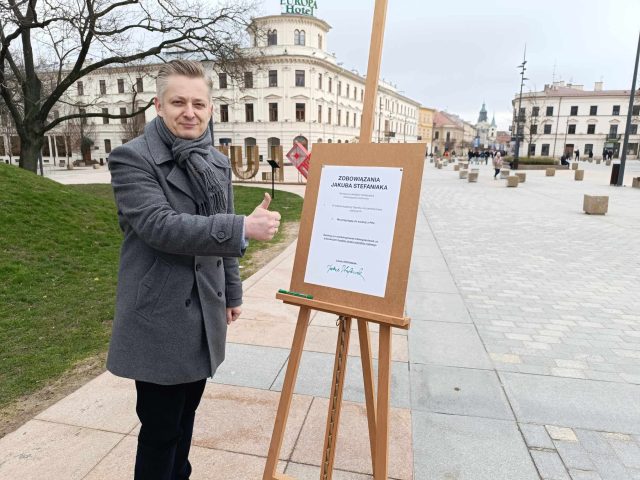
(381, 470)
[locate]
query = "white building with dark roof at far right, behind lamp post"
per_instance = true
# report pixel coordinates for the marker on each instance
(564, 118)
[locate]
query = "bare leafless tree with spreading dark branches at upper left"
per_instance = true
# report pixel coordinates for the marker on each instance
(46, 46)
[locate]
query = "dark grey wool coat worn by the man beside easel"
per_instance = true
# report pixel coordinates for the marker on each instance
(178, 270)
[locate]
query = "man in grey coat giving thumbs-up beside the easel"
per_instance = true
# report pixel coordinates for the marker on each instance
(179, 283)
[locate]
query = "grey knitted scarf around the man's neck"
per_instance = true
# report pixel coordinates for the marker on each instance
(194, 157)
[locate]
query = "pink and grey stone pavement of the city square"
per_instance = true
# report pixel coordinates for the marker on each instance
(522, 360)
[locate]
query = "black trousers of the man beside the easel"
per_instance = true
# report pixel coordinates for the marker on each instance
(166, 413)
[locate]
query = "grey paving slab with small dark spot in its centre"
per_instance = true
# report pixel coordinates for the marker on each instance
(459, 391)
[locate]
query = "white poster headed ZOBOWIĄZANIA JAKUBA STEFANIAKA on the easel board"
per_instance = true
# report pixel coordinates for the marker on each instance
(353, 228)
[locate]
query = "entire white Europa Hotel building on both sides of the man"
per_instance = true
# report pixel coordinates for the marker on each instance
(298, 92)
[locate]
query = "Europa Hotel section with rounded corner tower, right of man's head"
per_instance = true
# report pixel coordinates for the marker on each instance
(301, 92)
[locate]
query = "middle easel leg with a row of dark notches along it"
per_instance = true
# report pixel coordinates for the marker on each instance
(335, 399)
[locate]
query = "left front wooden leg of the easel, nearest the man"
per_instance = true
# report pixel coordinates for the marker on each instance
(286, 394)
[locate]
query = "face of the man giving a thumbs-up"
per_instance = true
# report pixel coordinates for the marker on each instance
(185, 106)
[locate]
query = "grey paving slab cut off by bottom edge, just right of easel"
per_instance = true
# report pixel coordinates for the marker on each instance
(469, 448)
